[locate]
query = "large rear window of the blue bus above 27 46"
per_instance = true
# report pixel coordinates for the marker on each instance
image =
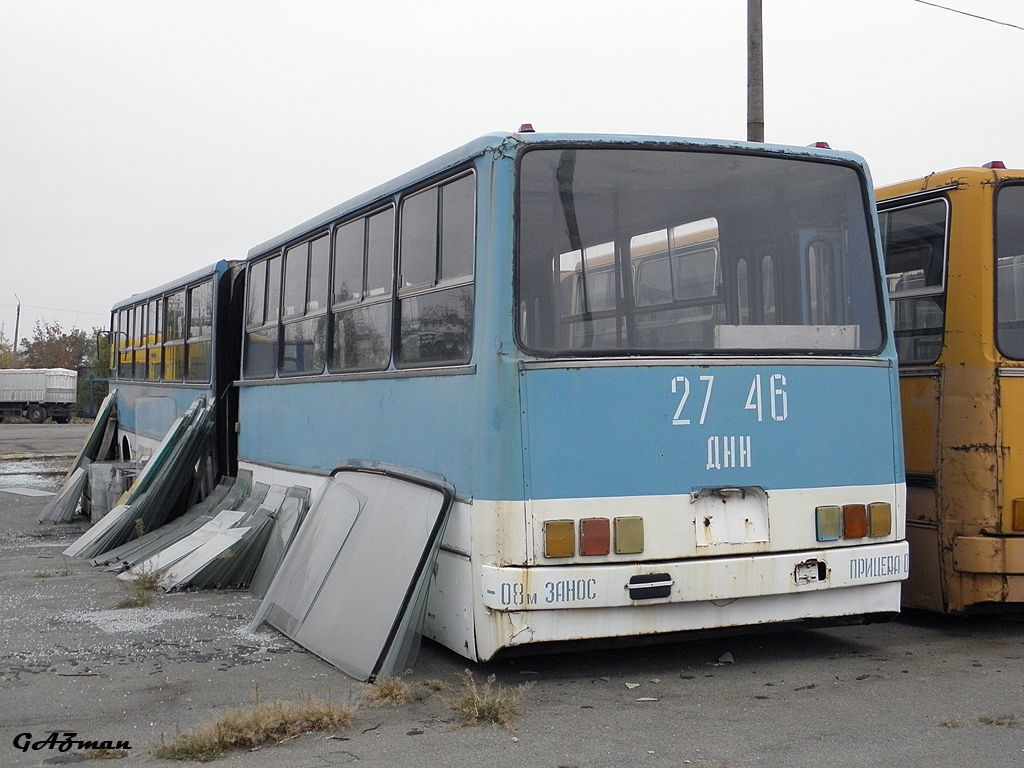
(626, 251)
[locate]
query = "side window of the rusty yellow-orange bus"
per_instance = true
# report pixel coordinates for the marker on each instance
(914, 239)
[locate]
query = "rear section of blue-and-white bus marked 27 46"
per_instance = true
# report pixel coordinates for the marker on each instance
(658, 372)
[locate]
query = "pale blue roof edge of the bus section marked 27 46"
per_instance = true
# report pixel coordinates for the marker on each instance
(508, 142)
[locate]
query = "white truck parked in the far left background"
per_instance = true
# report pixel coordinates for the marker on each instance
(38, 394)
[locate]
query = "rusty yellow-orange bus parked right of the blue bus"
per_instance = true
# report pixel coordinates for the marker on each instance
(955, 260)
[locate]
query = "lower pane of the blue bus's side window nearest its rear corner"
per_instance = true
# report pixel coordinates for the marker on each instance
(437, 328)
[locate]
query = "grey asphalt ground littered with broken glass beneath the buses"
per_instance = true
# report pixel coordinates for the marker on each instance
(920, 692)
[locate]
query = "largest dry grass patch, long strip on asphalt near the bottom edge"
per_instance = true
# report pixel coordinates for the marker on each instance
(262, 726)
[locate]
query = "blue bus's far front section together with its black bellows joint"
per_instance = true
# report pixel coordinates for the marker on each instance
(172, 346)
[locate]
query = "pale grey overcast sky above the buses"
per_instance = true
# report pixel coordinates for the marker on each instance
(143, 141)
